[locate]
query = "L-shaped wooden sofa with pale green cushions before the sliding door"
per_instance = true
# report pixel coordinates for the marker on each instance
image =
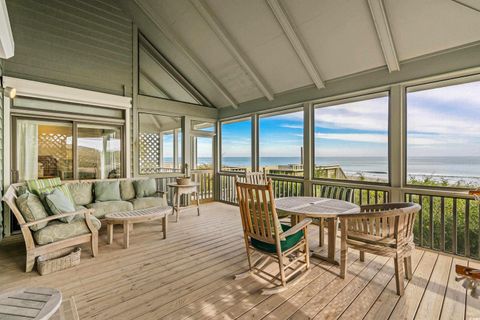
(54, 234)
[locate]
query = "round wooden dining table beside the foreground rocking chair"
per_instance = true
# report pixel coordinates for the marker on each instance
(313, 207)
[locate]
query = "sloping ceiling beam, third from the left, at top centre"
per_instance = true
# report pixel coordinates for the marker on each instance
(289, 29)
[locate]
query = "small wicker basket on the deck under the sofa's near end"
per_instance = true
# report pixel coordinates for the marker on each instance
(58, 260)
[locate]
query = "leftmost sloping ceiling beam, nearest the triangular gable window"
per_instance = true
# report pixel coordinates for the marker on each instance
(147, 10)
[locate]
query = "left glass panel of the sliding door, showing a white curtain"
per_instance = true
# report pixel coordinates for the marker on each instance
(43, 149)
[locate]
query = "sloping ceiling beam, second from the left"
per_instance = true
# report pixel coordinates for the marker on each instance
(207, 14)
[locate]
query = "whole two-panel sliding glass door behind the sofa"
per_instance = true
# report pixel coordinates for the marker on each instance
(68, 150)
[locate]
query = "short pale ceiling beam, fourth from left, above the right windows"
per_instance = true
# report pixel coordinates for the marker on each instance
(384, 34)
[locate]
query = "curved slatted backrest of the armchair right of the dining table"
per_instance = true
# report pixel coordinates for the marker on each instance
(397, 222)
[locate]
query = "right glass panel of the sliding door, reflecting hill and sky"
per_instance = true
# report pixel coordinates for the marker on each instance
(99, 152)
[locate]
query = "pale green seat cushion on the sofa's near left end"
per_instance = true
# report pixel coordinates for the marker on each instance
(57, 230)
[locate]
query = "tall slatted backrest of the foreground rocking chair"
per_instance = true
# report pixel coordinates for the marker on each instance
(257, 209)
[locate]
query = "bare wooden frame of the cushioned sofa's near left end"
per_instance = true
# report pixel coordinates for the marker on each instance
(34, 250)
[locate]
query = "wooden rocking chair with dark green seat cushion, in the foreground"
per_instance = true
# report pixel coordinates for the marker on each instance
(263, 233)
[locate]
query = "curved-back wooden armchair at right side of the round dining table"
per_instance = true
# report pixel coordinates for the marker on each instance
(384, 229)
